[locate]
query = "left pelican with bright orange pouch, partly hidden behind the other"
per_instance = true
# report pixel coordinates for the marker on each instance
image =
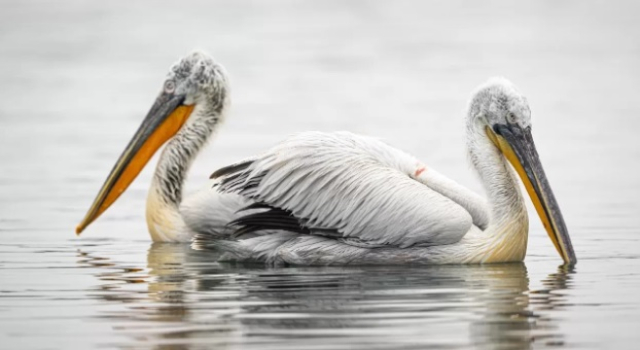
(187, 111)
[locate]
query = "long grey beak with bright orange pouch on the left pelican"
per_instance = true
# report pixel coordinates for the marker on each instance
(166, 117)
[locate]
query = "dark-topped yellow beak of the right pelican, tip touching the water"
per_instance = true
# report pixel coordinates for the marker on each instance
(517, 145)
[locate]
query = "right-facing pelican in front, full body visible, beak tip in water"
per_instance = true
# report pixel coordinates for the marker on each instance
(344, 199)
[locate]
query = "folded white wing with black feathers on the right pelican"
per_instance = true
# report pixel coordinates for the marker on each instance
(350, 187)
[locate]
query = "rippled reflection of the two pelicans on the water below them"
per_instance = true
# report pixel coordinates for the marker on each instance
(184, 299)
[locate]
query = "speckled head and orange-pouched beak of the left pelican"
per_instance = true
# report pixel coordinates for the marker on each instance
(190, 103)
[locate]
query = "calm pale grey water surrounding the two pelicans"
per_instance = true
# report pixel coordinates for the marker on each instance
(76, 78)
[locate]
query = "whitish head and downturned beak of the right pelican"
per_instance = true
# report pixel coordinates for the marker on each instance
(500, 117)
